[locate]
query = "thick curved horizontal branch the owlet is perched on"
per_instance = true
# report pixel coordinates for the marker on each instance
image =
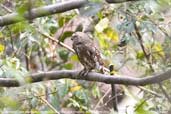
(70, 74)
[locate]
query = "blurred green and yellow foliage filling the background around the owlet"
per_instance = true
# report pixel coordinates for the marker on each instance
(24, 50)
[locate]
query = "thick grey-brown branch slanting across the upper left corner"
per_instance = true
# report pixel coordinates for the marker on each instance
(42, 11)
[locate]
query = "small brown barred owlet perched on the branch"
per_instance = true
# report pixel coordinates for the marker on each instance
(87, 53)
